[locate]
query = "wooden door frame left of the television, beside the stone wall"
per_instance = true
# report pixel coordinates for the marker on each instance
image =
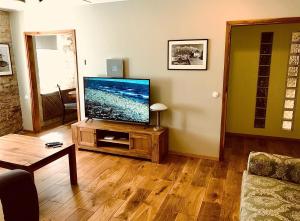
(36, 124)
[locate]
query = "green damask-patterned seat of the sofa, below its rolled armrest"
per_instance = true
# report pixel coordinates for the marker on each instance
(265, 198)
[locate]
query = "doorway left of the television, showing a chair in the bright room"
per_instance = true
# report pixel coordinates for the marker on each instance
(53, 77)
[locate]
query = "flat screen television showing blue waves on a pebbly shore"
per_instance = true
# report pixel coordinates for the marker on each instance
(117, 99)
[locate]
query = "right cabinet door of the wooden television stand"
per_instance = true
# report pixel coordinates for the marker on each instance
(140, 143)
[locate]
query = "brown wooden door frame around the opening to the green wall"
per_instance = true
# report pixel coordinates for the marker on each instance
(229, 26)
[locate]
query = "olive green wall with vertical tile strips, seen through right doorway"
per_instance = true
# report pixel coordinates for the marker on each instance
(245, 52)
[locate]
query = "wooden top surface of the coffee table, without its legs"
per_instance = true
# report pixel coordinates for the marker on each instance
(25, 150)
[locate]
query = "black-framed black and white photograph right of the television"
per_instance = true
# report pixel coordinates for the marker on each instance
(187, 54)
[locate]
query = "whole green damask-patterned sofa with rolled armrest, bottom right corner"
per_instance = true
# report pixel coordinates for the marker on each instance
(271, 188)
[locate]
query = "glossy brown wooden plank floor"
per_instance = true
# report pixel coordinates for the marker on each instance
(118, 188)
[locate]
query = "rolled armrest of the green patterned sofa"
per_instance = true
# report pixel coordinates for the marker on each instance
(274, 166)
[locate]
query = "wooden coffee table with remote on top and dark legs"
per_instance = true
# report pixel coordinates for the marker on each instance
(29, 153)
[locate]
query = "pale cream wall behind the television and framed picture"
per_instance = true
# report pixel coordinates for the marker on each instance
(138, 30)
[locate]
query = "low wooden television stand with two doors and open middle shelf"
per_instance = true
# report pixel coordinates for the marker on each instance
(129, 139)
